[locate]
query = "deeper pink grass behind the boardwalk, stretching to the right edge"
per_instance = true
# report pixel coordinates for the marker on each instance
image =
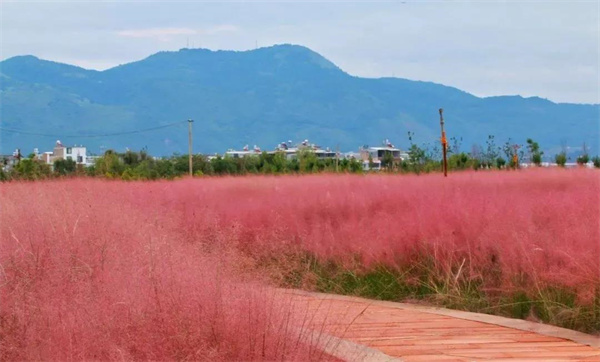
(542, 224)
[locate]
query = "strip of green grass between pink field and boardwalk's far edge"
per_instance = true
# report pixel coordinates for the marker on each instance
(422, 284)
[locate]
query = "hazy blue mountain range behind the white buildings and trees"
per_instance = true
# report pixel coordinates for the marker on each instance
(262, 97)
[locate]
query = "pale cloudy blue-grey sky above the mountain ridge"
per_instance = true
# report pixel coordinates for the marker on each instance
(548, 49)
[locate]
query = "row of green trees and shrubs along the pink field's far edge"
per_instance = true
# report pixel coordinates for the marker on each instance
(141, 165)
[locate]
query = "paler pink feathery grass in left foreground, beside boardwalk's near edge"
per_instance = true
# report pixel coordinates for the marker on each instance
(85, 275)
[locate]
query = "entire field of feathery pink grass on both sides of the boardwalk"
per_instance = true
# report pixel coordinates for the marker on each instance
(112, 270)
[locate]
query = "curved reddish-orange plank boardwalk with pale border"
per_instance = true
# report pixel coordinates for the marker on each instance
(362, 329)
